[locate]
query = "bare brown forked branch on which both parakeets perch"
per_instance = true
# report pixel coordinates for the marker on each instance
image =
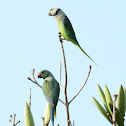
(66, 102)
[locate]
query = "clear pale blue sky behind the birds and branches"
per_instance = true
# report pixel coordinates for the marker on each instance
(29, 39)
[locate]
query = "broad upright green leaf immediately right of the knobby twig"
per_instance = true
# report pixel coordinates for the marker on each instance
(121, 100)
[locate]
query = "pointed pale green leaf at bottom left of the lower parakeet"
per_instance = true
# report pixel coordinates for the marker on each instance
(28, 116)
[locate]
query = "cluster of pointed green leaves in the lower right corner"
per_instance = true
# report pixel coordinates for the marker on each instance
(109, 103)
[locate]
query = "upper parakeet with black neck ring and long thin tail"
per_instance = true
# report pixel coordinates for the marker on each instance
(65, 27)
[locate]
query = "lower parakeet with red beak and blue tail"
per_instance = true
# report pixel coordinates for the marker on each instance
(51, 90)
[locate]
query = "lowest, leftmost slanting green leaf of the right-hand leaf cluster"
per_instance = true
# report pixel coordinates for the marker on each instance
(101, 109)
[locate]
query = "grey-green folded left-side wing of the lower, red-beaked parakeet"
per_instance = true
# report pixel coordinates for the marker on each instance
(48, 91)
